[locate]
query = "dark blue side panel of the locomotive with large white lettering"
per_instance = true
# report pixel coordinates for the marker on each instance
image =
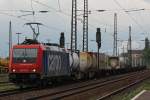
(56, 64)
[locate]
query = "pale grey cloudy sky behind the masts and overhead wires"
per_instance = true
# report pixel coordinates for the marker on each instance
(58, 20)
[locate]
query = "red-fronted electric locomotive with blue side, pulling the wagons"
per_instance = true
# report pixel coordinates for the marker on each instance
(36, 63)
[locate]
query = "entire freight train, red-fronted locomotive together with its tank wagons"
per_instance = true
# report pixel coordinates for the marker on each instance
(39, 63)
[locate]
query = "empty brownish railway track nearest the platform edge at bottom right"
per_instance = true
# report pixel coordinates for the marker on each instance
(105, 88)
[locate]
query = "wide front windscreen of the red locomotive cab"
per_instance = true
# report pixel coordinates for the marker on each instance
(24, 55)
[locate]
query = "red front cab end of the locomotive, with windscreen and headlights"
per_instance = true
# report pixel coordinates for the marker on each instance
(25, 63)
